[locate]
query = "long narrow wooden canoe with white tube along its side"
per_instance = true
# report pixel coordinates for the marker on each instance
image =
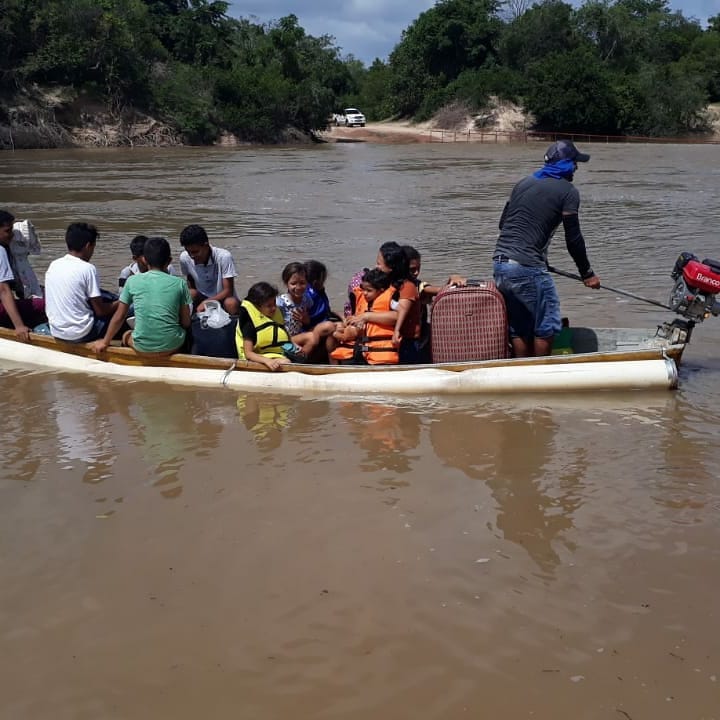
(609, 359)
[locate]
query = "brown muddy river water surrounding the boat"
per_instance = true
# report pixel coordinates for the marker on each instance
(170, 552)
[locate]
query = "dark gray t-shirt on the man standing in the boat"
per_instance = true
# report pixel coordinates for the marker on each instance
(534, 211)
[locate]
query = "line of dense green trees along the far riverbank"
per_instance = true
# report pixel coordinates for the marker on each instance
(614, 67)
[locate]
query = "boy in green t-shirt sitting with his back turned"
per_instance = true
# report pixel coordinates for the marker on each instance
(162, 306)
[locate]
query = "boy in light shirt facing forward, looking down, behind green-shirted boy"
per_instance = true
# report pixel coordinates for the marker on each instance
(210, 271)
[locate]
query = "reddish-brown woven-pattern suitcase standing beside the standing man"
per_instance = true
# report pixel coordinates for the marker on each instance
(469, 323)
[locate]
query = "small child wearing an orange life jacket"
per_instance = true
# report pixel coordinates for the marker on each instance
(375, 321)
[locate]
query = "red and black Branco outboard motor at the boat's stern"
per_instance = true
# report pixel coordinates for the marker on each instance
(696, 285)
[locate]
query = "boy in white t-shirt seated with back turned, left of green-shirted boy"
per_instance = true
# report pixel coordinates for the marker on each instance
(73, 302)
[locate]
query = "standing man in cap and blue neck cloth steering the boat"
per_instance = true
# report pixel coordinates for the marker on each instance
(537, 206)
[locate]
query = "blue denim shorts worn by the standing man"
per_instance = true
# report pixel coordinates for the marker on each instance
(531, 299)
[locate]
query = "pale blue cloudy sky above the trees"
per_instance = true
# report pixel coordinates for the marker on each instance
(369, 29)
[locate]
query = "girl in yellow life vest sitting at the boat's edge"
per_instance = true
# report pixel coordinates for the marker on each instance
(261, 335)
